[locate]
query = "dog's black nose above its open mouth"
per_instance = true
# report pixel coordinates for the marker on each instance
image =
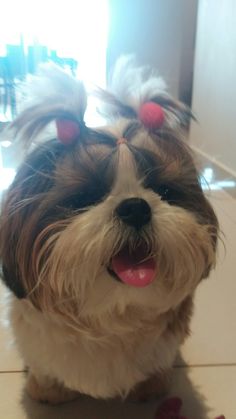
(134, 211)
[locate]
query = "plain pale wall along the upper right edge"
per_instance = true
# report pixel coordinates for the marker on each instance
(214, 92)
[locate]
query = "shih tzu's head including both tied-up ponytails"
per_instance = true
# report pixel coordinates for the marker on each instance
(114, 217)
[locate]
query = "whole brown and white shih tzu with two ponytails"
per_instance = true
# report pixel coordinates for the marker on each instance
(105, 234)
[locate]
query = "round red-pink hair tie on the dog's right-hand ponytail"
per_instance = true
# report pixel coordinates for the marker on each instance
(151, 115)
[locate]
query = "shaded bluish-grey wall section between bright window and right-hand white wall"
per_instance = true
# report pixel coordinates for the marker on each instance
(160, 33)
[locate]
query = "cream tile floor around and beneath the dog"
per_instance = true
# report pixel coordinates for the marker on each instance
(205, 375)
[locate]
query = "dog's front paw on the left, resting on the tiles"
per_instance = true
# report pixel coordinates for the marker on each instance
(49, 391)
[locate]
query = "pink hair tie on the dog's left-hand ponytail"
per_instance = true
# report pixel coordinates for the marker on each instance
(68, 130)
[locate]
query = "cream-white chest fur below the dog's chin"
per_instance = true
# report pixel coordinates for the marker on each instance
(101, 366)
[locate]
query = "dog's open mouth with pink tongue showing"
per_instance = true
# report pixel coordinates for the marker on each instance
(134, 268)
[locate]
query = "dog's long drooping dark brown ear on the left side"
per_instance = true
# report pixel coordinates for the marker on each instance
(33, 180)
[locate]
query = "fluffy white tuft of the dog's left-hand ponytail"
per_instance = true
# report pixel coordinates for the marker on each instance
(50, 95)
